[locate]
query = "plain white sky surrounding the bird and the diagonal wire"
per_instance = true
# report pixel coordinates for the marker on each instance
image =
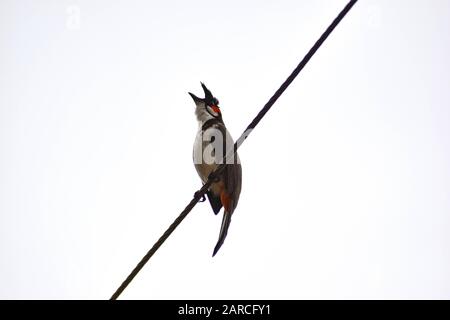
(345, 182)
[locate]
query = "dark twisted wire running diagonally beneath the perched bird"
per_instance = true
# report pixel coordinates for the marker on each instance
(238, 143)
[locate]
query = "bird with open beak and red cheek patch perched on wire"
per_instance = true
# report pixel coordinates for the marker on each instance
(212, 143)
